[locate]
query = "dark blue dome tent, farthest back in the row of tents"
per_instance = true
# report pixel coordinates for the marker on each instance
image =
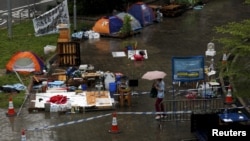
(143, 13)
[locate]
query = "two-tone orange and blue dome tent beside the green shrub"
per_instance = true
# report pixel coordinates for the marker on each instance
(108, 25)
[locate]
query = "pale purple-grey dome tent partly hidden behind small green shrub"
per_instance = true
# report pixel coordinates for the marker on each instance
(135, 24)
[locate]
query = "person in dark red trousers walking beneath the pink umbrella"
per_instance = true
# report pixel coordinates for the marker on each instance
(159, 84)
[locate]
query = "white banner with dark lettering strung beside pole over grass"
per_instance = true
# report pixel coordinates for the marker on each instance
(47, 22)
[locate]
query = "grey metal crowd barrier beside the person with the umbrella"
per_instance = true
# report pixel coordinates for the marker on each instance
(181, 110)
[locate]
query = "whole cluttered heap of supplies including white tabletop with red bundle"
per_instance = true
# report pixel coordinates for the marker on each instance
(82, 88)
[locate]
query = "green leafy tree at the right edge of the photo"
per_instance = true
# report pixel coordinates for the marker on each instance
(236, 44)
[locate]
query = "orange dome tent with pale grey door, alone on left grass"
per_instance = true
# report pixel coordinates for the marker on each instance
(25, 62)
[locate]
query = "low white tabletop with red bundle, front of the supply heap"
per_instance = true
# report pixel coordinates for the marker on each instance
(71, 101)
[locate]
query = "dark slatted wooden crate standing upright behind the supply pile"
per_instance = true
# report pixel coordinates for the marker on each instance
(68, 53)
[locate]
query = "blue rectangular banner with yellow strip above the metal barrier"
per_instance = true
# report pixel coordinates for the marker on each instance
(188, 68)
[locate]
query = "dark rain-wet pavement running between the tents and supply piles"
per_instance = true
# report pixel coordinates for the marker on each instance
(186, 35)
